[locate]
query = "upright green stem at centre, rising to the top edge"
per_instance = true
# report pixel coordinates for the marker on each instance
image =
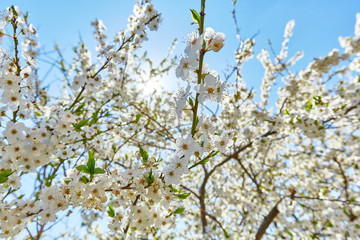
(201, 60)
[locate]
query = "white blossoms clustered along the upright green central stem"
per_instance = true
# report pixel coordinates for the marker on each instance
(209, 87)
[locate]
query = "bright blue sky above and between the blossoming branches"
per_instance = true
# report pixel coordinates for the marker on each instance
(317, 27)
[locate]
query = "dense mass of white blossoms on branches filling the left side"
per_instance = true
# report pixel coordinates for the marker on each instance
(63, 132)
